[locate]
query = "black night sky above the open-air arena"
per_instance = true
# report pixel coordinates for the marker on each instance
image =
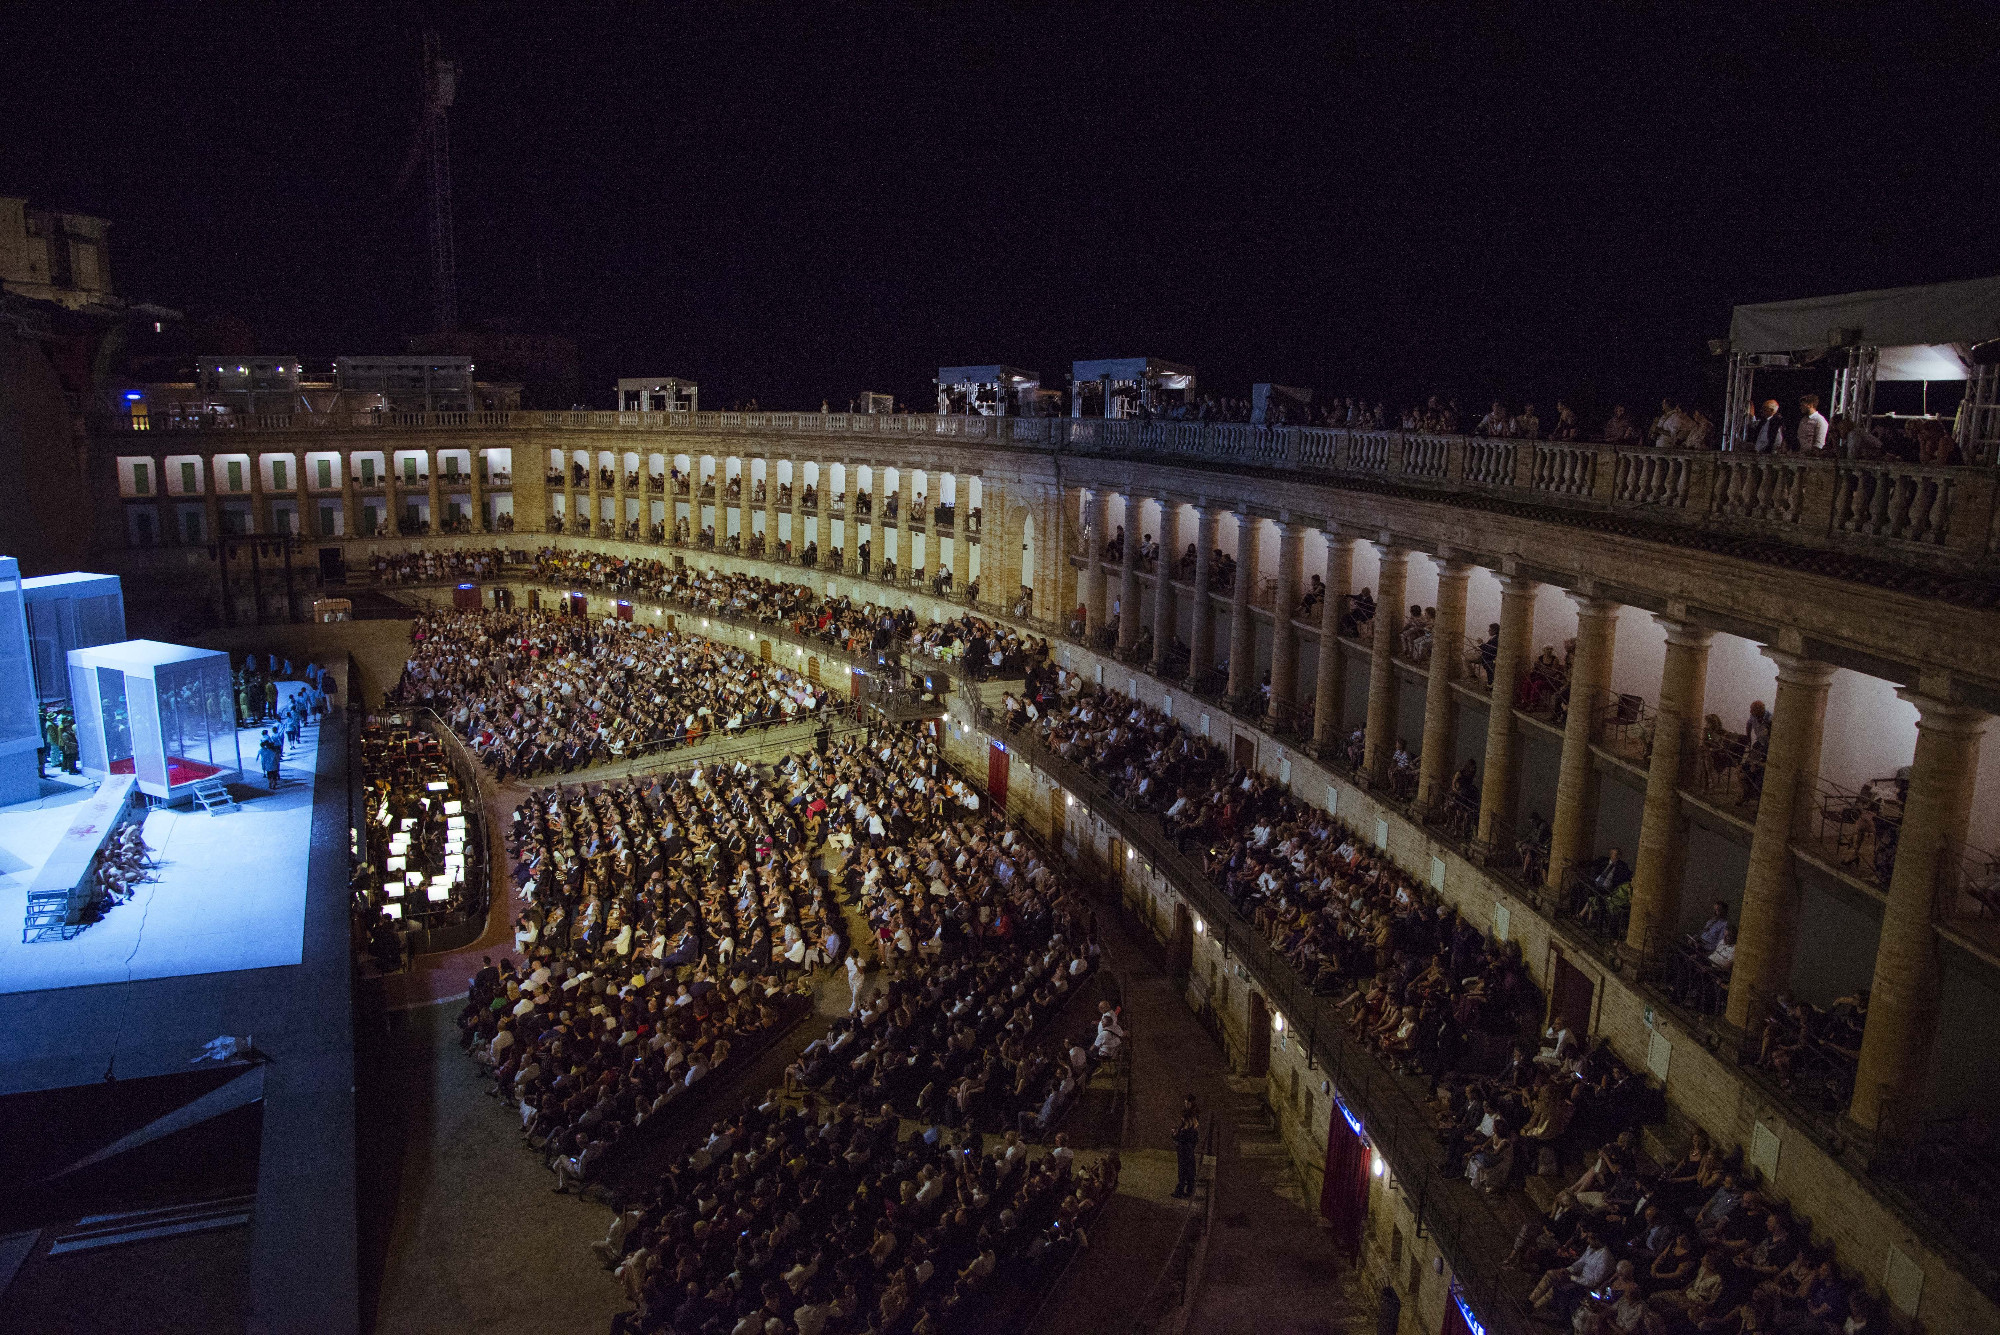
(807, 203)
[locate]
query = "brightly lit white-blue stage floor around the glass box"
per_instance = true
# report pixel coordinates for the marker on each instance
(231, 892)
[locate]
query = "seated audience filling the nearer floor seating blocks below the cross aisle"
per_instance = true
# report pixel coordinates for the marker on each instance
(673, 918)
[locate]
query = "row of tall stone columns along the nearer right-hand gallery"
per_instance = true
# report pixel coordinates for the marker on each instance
(1905, 998)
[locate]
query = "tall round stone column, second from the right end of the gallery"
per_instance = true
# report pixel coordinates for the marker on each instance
(1769, 932)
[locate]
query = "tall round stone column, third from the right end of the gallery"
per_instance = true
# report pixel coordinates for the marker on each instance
(1663, 832)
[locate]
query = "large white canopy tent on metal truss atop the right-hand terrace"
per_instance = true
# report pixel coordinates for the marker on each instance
(1927, 333)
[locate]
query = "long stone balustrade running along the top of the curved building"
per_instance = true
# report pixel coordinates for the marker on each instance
(1907, 513)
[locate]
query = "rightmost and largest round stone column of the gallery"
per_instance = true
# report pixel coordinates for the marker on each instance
(1893, 1080)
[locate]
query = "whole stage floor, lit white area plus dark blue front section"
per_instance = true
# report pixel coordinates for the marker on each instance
(153, 1190)
